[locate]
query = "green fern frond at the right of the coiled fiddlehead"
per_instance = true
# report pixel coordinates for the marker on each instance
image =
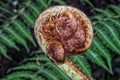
(106, 27)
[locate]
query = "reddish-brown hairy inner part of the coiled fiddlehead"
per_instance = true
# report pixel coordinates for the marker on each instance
(65, 34)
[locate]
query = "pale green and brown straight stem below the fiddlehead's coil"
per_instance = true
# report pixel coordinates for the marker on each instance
(71, 70)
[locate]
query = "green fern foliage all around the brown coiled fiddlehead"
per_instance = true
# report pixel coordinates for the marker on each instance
(17, 30)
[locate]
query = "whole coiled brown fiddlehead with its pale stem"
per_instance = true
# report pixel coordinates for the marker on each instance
(61, 31)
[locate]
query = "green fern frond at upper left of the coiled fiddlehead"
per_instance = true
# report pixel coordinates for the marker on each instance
(17, 30)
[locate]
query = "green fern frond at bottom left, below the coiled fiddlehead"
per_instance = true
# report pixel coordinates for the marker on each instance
(34, 68)
